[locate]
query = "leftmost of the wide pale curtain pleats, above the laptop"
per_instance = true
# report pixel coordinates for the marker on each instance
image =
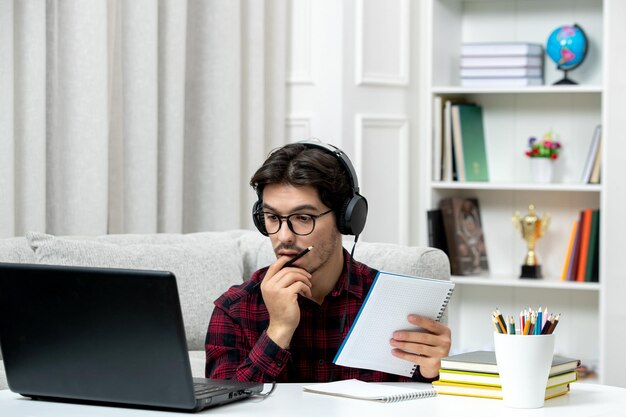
(78, 132)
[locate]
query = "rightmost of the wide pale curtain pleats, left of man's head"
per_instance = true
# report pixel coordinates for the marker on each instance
(213, 117)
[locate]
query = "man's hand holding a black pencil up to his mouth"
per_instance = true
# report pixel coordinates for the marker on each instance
(280, 289)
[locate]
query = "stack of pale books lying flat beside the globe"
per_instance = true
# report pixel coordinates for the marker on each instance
(510, 64)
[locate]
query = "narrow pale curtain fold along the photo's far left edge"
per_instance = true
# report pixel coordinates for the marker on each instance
(7, 144)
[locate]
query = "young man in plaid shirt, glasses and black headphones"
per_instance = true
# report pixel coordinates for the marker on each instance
(286, 324)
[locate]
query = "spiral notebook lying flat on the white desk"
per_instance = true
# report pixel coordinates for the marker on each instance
(353, 388)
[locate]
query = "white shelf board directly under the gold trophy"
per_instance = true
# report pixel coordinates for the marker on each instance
(514, 282)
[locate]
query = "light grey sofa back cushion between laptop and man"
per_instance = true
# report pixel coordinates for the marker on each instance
(205, 265)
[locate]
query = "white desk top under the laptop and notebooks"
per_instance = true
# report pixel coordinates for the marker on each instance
(289, 400)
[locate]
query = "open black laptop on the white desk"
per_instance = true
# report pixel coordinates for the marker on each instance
(101, 335)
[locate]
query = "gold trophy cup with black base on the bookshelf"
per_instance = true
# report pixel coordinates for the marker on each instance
(532, 228)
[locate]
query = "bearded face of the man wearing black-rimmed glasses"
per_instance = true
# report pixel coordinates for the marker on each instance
(284, 200)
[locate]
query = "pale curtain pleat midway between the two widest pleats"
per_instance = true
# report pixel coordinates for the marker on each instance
(140, 106)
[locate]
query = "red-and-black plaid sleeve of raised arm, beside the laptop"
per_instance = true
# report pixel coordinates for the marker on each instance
(230, 355)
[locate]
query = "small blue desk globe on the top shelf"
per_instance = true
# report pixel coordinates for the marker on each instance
(567, 46)
